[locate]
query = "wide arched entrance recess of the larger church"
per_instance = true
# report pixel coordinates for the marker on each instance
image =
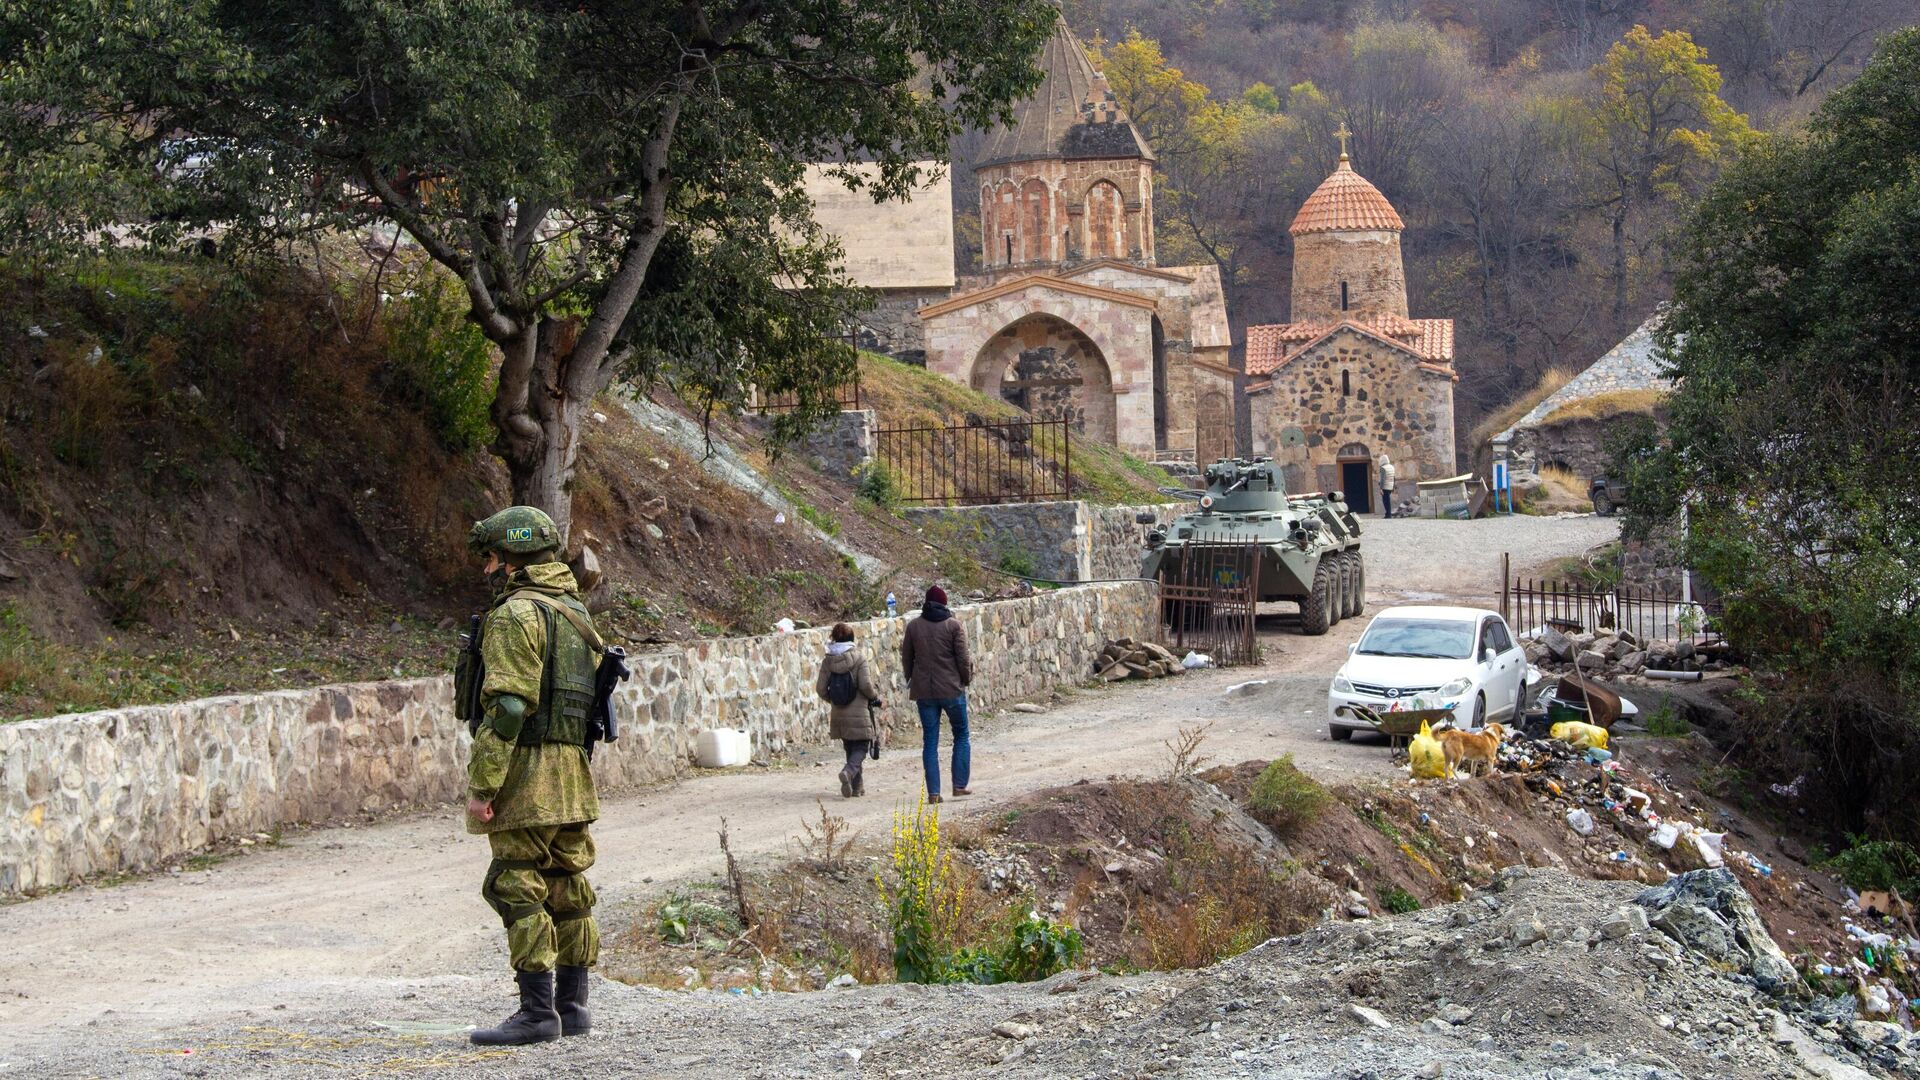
(1051, 370)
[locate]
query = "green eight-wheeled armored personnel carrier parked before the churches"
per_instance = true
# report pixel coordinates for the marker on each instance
(1310, 543)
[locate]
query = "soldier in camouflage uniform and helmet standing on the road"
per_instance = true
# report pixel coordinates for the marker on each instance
(529, 785)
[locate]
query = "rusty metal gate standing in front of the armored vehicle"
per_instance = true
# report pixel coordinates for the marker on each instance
(1211, 601)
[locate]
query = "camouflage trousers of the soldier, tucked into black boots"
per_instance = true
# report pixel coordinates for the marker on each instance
(539, 887)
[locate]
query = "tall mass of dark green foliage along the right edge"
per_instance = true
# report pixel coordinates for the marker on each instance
(1796, 435)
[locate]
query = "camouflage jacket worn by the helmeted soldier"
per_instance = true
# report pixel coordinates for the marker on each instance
(527, 785)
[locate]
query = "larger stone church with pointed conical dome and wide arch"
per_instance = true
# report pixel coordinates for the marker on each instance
(1072, 318)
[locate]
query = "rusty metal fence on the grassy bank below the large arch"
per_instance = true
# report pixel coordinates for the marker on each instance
(980, 464)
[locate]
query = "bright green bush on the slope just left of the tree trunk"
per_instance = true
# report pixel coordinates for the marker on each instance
(443, 364)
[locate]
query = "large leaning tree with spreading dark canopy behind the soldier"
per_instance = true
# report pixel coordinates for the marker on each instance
(615, 185)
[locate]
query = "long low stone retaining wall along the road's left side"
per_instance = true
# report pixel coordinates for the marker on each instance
(133, 789)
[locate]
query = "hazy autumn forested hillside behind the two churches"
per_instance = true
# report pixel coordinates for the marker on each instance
(1541, 151)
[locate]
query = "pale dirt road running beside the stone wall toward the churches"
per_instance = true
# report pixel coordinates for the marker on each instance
(333, 912)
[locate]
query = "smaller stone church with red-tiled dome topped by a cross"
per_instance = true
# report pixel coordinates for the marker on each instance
(1351, 378)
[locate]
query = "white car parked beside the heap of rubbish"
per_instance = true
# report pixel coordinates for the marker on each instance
(1445, 656)
